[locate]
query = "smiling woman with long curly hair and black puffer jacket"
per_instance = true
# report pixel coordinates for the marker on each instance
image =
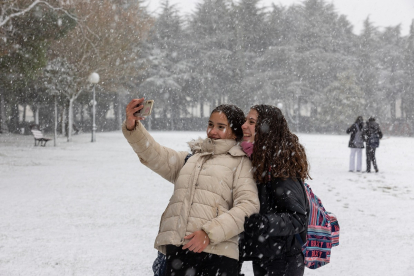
(279, 167)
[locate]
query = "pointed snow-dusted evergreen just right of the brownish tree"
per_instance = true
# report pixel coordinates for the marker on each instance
(168, 70)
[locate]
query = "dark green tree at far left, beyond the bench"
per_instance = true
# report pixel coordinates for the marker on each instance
(24, 52)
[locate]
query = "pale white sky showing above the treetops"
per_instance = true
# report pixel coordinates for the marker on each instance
(383, 13)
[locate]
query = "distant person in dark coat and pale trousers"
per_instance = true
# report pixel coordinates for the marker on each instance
(356, 143)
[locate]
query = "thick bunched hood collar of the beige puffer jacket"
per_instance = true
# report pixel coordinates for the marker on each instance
(210, 146)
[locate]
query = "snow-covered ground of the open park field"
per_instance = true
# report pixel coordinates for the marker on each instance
(85, 208)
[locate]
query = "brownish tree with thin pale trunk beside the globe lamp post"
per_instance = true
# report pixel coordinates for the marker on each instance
(105, 41)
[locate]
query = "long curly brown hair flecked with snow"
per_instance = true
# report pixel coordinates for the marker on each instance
(276, 149)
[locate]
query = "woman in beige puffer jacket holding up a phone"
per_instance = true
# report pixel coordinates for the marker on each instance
(214, 192)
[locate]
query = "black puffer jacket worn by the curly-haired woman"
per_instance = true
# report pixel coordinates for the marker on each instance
(286, 207)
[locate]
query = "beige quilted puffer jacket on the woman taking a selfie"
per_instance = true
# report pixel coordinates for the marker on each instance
(214, 191)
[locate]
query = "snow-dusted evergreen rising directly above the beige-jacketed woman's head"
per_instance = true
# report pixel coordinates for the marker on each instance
(213, 39)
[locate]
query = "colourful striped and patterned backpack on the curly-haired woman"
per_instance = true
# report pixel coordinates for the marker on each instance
(322, 235)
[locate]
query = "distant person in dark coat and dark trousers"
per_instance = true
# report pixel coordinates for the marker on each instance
(372, 134)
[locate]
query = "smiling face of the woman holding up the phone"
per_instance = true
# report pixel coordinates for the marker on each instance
(218, 127)
